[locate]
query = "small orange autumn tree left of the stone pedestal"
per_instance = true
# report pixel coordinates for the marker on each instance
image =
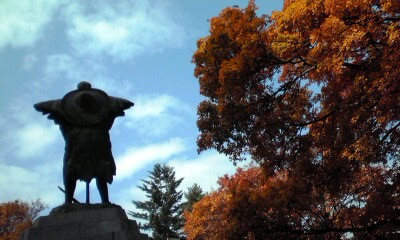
(17, 216)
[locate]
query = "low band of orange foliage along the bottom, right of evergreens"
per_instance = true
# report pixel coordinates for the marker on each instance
(249, 205)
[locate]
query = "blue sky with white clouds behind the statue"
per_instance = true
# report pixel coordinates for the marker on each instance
(140, 50)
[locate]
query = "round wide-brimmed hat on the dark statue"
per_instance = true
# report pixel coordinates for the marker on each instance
(85, 106)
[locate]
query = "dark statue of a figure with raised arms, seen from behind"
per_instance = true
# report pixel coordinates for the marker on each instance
(85, 117)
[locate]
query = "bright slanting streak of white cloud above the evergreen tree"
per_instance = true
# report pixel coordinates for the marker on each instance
(135, 159)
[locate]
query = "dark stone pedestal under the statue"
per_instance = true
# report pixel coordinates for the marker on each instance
(85, 222)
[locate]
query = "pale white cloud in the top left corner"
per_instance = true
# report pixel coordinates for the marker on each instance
(22, 21)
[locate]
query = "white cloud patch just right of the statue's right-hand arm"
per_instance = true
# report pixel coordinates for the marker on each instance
(155, 115)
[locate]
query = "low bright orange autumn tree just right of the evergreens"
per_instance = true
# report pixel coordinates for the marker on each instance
(237, 209)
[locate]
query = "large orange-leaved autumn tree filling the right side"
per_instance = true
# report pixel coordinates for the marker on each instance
(311, 92)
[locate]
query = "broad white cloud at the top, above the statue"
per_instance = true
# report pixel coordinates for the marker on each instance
(124, 29)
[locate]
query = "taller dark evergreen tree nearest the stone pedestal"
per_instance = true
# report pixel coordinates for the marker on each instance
(162, 210)
